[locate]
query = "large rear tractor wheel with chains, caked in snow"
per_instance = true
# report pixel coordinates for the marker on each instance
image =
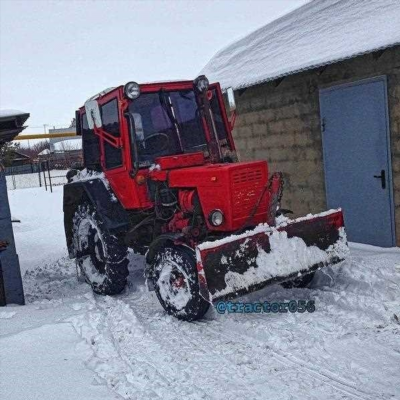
(102, 260)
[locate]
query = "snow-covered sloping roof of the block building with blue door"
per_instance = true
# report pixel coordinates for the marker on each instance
(319, 33)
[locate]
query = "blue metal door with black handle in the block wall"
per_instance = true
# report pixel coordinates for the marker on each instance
(356, 148)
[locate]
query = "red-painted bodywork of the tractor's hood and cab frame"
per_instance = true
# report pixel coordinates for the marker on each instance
(233, 188)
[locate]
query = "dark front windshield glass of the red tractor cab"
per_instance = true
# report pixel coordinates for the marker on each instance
(169, 123)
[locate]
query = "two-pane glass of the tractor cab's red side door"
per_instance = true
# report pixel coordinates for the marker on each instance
(111, 124)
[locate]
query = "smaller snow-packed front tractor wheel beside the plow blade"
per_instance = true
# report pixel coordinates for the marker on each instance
(176, 283)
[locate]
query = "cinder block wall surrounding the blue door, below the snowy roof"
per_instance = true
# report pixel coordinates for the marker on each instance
(280, 122)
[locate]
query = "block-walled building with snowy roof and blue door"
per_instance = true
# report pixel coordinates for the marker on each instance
(318, 95)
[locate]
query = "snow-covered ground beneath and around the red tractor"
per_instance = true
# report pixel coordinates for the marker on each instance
(67, 343)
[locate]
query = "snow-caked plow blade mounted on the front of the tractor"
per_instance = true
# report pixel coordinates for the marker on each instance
(240, 264)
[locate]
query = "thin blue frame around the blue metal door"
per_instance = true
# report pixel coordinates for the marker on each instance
(379, 78)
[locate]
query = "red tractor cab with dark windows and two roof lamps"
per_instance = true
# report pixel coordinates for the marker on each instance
(130, 130)
